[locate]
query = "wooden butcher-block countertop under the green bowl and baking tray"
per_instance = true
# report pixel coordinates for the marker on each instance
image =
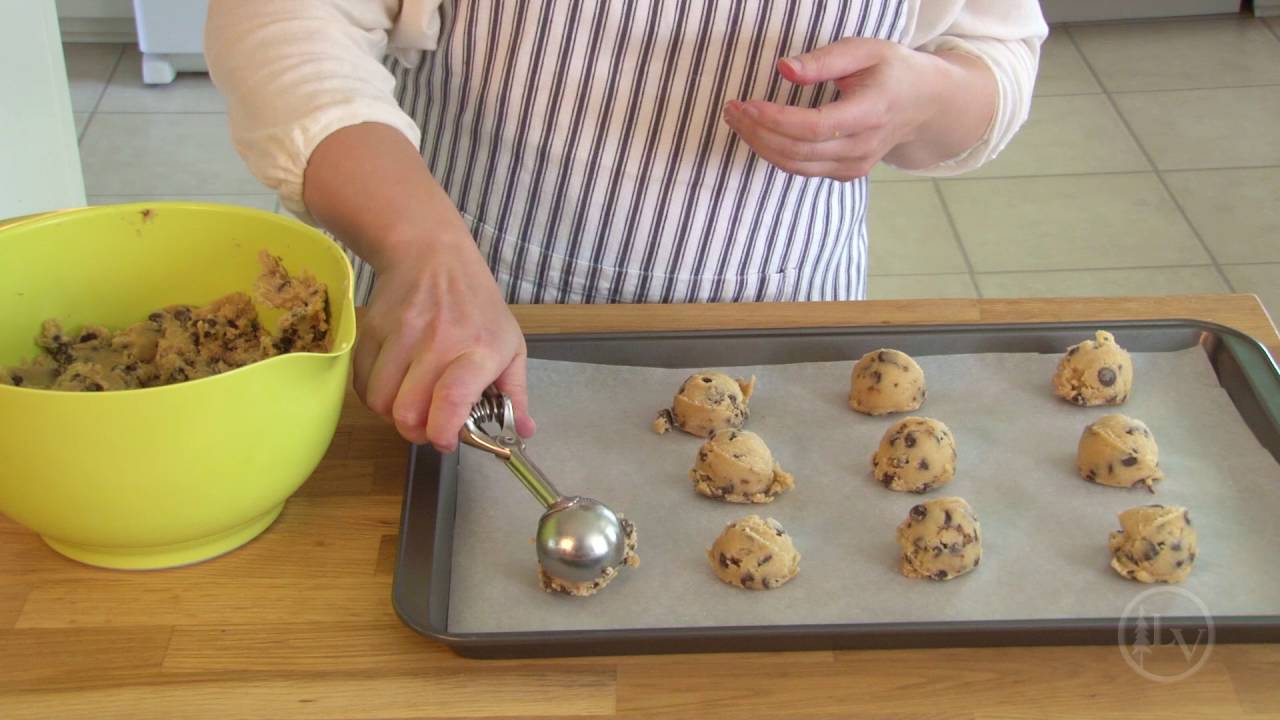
(299, 623)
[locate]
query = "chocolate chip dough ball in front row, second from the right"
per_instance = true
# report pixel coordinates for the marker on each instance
(940, 540)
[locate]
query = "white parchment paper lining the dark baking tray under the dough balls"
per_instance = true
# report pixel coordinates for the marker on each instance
(1045, 530)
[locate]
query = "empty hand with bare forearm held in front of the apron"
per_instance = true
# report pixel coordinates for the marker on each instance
(915, 108)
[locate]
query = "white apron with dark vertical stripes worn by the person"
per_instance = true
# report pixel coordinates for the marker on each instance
(584, 144)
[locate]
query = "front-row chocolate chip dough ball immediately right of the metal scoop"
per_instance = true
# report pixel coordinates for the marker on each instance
(755, 554)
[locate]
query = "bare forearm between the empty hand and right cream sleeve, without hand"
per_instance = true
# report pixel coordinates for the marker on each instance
(964, 99)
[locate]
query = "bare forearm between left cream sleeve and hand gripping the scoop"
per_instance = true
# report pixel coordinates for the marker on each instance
(369, 186)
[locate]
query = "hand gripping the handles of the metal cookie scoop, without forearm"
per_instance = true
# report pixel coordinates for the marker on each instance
(436, 335)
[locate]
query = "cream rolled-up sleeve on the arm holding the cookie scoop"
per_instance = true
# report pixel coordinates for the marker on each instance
(294, 74)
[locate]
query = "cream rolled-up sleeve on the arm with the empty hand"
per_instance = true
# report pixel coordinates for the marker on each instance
(1007, 35)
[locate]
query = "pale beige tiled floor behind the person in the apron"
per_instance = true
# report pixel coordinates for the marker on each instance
(1151, 165)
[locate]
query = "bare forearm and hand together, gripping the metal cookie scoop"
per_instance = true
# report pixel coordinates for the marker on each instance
(437, 331)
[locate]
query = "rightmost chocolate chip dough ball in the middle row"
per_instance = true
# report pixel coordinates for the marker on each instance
(1119, 452)
